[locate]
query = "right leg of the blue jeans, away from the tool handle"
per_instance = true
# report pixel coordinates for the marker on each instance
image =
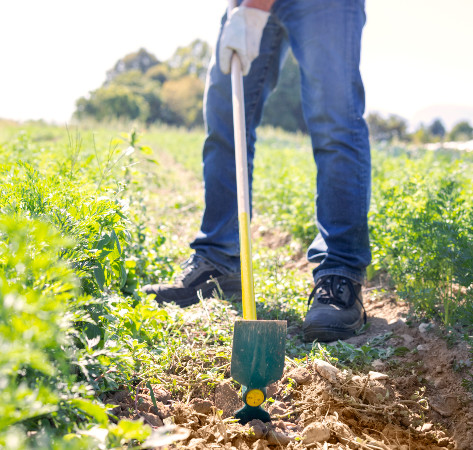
(325, 36)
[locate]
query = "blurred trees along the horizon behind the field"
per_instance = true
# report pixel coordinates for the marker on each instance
(140, 87)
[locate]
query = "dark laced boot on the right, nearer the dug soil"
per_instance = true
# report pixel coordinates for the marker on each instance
(337, 310)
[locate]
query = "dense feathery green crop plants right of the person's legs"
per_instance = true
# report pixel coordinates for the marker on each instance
(422, 236)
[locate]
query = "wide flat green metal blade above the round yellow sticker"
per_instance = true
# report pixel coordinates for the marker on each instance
(258, 352)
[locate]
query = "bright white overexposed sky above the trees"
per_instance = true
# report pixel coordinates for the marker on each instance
(416, 54)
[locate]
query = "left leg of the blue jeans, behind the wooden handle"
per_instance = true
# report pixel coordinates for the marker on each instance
(218, 238)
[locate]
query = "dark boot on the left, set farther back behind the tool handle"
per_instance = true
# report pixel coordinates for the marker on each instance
(198, 275)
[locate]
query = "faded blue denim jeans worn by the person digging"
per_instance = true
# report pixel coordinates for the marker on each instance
(325, 37)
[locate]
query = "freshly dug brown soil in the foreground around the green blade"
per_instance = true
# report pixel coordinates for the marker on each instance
(414, 401)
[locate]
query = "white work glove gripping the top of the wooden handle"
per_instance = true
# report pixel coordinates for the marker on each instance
(242, 34)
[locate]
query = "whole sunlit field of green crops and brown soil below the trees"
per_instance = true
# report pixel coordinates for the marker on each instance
(87, 216)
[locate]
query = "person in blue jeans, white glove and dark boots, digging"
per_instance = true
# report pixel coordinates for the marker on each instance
(325, 38)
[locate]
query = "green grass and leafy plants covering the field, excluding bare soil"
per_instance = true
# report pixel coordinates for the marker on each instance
(88, 217)
